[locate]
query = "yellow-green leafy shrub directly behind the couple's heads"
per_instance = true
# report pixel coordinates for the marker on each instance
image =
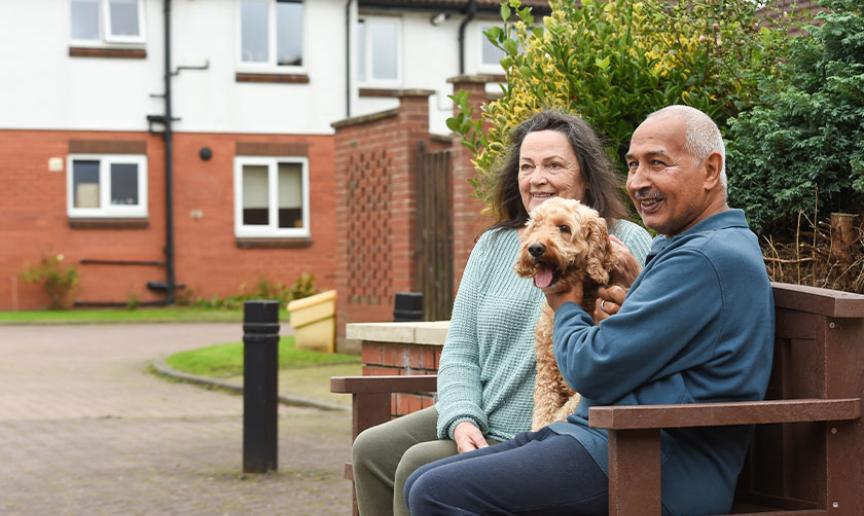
(613, 62)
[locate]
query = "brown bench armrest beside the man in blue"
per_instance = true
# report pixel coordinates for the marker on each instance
(721, 414)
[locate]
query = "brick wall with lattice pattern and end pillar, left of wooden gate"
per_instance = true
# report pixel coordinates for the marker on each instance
(375, 207)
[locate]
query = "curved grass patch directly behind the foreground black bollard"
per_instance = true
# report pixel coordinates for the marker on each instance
(226, 360)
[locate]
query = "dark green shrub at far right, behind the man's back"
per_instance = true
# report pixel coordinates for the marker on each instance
(802, 148)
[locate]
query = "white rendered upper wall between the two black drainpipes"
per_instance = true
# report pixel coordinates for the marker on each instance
(212, 98)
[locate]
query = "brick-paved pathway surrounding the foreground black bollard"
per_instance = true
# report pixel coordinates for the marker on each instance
(85, 429)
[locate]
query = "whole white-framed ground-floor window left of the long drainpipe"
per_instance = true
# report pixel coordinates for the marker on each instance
(107, 186)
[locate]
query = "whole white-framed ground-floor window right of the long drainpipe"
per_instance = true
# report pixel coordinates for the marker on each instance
(271, 197)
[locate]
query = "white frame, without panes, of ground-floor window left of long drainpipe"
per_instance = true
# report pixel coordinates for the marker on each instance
(106, 209)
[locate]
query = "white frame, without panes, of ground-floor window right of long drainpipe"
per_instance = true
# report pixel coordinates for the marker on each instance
(272, 230)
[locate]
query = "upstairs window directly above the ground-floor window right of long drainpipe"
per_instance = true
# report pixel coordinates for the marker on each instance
(271, 33)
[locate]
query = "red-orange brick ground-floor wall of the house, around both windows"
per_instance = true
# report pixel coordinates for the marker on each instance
(33, 220)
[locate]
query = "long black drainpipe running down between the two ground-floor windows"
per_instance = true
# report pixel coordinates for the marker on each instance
(168, 135)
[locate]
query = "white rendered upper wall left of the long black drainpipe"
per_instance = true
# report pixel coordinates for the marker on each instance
(43, 88)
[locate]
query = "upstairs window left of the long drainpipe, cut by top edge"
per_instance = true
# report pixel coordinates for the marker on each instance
(107, 21)
